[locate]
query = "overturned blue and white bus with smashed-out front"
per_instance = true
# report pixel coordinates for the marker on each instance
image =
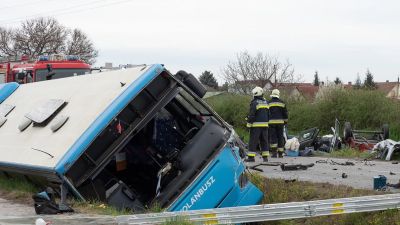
(130, 138)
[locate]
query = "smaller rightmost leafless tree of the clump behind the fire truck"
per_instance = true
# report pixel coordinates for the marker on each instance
(79, 44)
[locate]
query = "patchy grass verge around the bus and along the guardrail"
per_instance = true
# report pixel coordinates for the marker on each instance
(275, 191)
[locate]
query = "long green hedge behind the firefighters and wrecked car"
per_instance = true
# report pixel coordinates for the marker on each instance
(365, 109)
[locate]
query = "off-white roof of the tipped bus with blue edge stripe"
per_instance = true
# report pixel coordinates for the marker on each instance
(92, 101)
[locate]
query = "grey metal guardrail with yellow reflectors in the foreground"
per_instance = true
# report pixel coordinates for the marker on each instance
(269, 212)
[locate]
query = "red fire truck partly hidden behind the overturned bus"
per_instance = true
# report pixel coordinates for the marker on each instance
(26, 69)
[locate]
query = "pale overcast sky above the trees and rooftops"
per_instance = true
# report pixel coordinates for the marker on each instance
(339, 38)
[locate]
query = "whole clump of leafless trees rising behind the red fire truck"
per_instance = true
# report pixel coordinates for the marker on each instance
(45, 36)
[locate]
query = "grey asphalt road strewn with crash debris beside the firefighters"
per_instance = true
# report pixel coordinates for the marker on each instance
(360, 175)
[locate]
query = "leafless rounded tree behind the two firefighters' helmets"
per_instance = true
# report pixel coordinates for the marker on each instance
(248, 71)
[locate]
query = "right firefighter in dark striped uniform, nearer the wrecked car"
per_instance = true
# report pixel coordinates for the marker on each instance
(278, 117)
